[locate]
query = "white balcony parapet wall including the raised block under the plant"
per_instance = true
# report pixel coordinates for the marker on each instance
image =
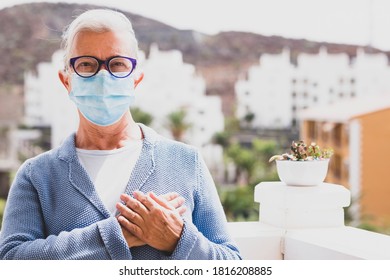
(305, 223)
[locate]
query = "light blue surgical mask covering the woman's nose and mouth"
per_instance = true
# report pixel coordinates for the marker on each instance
(102, 99)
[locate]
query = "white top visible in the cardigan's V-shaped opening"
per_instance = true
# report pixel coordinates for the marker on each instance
(110, 170)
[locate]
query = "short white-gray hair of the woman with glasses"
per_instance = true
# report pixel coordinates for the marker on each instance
(98, 20)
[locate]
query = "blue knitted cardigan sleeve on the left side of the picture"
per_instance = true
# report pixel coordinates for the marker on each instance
(23, 234)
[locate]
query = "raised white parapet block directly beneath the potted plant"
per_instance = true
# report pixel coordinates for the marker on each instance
(290, 207)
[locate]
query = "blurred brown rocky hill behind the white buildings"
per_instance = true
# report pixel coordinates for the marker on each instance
(30, 33)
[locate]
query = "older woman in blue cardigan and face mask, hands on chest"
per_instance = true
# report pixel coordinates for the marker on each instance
(115, 189)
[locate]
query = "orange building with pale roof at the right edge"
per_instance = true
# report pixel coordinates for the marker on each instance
(359, 132)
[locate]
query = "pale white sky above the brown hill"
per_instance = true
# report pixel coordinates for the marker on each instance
(361, 22)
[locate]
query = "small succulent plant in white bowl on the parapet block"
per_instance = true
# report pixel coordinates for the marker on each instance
(304, 165)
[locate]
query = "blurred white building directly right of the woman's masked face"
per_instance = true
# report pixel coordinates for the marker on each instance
(169, 85)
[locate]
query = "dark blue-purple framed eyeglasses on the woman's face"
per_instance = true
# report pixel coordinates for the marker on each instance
(88, 66)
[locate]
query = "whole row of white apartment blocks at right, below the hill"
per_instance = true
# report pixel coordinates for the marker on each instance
(275, 90)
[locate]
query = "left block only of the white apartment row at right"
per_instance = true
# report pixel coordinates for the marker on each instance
(264, 92)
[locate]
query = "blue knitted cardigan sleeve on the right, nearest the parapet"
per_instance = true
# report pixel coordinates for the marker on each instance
(206, 237)
